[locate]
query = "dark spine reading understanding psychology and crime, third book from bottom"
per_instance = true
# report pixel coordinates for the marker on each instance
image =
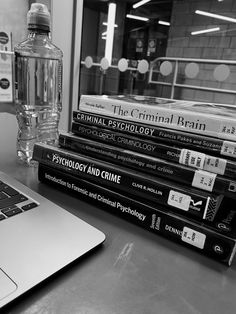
(200, 179)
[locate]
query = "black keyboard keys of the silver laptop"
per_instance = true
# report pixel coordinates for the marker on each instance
(12, 202)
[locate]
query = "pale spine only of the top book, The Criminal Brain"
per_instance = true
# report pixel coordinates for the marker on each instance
(192, 122)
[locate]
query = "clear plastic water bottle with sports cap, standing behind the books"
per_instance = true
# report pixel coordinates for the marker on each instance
(38, 85)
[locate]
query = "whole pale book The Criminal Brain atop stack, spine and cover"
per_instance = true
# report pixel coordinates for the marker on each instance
(217, 120)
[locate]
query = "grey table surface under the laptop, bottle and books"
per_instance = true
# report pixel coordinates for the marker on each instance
(134, 271)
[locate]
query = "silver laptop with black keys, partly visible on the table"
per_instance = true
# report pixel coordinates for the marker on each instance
(38, 238)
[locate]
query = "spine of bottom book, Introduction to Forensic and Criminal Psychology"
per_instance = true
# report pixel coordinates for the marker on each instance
(166, 224)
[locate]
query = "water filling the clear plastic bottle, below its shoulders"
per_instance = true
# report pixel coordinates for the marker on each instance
(38, 98)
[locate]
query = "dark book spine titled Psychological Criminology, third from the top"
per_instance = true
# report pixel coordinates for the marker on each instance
(184, 156)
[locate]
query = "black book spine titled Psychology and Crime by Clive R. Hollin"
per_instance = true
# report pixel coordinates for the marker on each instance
(192, 202)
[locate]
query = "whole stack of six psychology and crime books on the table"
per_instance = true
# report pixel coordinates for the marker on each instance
(166, 165)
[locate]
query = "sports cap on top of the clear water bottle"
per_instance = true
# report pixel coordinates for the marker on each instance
(38, 17)
